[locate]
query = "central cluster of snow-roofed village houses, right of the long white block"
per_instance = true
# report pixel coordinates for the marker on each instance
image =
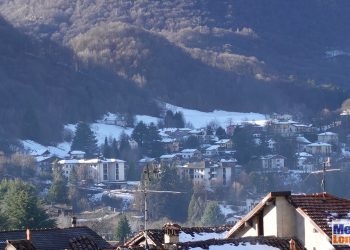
(212, 162)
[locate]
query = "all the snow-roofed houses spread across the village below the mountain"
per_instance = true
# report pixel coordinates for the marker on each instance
(213, 160)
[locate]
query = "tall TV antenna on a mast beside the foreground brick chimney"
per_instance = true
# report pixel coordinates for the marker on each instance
(151, 173)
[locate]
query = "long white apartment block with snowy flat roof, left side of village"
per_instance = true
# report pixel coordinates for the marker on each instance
(97, 170)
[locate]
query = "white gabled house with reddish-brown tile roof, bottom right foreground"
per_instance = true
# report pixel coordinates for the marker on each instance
(304, 217)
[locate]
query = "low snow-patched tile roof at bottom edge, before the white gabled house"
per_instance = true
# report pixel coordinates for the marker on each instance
(280, 243)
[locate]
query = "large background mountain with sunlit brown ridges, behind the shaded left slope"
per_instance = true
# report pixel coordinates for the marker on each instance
(241, 55)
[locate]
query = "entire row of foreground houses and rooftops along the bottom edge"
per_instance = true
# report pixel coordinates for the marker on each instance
(281, 220)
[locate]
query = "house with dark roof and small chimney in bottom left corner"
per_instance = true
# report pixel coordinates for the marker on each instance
(53, 238)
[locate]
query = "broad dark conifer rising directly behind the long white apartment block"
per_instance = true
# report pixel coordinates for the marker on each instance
(84, 140)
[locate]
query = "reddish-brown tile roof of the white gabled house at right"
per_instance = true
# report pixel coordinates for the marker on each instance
(322, 208)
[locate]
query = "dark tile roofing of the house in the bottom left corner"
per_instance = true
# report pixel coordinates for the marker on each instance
(54, 238)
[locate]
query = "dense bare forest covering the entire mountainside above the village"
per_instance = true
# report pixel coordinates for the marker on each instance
(231, 54)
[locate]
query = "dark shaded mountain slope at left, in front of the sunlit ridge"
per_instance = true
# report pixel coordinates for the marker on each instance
(43, 86)
